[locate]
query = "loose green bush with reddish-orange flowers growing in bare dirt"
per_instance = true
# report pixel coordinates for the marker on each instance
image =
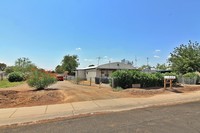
(40, 80)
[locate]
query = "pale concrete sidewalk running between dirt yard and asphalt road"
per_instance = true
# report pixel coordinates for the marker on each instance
(22, 115)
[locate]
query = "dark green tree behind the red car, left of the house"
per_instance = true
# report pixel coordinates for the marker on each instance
(70, 63)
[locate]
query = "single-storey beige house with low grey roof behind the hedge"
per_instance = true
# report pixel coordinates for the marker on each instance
(104, 70)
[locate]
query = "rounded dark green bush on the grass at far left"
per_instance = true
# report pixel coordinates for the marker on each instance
(16, 77)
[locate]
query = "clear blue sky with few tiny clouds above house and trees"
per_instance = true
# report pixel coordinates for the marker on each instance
(46, 30)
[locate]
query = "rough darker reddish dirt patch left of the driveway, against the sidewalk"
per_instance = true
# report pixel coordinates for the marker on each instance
(12, 98)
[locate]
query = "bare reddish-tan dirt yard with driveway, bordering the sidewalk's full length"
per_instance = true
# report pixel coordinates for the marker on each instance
(66, 92)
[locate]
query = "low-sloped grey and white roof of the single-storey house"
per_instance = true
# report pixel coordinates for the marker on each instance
(111, 66)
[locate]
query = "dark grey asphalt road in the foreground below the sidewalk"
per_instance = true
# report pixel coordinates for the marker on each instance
(183, 118)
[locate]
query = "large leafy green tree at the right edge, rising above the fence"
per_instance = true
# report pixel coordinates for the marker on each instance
(186, 58)
